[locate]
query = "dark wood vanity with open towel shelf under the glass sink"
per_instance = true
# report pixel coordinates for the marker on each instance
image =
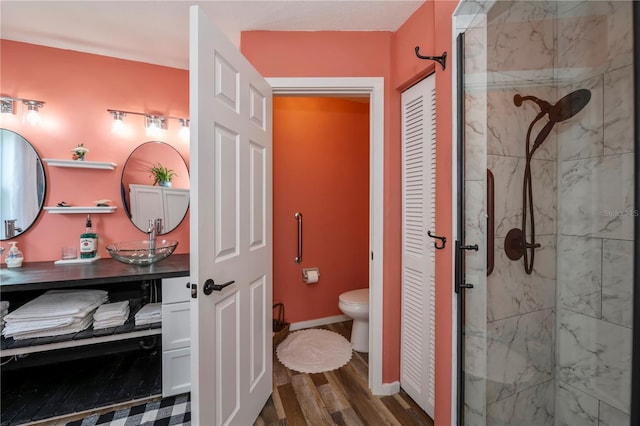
(92, 368)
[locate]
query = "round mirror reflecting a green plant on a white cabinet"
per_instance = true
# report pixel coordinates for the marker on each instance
(155, 185)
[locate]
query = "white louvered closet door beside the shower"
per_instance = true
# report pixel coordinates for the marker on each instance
(417, 372)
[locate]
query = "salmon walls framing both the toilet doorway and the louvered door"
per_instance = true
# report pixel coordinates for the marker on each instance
(388, 55)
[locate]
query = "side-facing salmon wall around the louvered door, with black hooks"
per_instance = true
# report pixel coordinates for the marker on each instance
(430, 28)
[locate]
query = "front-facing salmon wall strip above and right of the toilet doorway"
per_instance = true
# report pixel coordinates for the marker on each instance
(353, 54)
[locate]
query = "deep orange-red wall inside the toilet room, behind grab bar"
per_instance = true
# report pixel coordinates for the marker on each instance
(320, 169)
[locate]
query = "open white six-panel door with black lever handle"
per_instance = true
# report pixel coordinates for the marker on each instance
(231, 237)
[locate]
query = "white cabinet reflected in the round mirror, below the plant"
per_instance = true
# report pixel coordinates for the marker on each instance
(152, 202)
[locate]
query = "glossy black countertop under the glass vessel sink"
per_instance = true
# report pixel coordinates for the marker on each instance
(47, 275)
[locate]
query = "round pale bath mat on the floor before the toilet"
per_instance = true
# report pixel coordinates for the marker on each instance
(314, 351)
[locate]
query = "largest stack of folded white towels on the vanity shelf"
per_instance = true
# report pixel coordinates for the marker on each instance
(54, 313)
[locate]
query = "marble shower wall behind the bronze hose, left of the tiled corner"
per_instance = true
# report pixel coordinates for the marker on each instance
(520, 307)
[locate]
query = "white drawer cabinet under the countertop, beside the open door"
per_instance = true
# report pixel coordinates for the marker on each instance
(176, 336)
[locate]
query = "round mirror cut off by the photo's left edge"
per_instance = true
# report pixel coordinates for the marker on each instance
(23, 184)
